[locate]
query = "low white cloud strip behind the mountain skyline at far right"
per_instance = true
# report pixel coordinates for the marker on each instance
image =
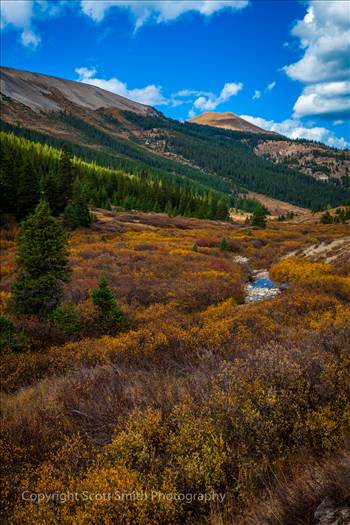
(295, 129)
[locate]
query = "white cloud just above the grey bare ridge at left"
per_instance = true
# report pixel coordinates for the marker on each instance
(150, 95)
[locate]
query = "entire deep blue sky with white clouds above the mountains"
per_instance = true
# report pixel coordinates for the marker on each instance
(283, 65)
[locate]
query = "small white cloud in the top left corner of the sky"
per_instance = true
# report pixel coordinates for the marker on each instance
(19, 15)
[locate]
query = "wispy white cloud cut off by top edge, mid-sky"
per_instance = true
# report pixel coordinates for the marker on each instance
(159, 11)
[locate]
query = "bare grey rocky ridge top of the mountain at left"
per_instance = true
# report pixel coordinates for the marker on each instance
(44, 93)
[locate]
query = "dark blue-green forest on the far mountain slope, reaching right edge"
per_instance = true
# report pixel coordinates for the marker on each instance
(222, 153)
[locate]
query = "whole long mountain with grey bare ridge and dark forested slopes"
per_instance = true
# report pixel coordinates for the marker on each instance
(115, 132)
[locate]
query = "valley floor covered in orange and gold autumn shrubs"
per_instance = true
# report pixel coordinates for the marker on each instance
(195, 394)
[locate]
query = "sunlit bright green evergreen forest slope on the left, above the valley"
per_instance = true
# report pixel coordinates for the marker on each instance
(30, 171)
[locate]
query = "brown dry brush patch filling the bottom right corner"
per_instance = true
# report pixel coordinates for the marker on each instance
(295, 491)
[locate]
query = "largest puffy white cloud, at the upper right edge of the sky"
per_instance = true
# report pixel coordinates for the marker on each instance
(324, 35)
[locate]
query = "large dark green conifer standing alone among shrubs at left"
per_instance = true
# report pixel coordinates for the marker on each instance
(42, 262)
